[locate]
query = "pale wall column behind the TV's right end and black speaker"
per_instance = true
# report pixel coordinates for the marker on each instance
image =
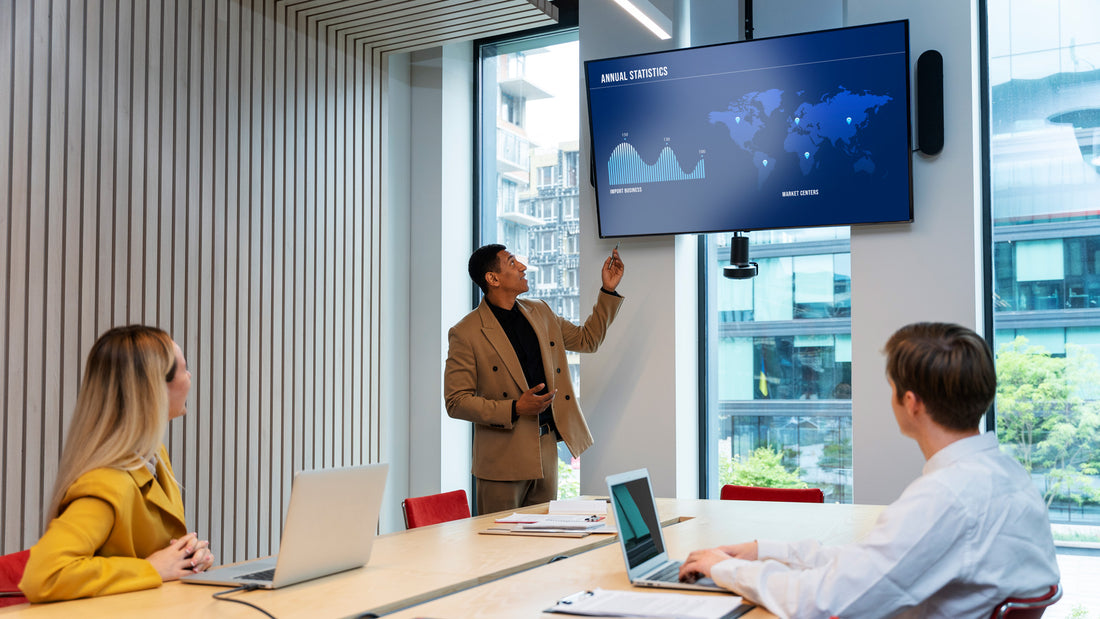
(930, 270)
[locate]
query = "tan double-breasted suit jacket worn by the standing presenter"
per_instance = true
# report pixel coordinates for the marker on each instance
(483, 378)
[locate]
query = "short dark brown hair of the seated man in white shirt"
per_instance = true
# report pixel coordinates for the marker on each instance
(949, 367)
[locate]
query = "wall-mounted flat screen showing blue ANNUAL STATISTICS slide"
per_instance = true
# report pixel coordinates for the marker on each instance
(786, 132)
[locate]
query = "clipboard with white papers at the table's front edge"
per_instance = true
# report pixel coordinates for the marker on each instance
(603, 603)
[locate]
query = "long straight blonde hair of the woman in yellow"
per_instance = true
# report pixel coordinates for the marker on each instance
(123, 408)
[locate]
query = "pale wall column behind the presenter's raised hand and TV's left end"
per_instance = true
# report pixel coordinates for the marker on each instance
(631, 389)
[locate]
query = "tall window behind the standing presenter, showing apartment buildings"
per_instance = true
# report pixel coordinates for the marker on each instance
(529, 157)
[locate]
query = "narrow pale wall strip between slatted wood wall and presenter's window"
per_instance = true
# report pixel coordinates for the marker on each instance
(439, 296)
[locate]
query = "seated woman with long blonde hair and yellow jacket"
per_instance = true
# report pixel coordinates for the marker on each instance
(116, 519)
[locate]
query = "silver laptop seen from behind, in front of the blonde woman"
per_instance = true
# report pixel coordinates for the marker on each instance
(331, 527)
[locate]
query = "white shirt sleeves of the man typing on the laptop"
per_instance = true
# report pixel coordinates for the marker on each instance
(907, 557)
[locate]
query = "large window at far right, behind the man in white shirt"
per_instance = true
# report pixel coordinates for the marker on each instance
(1044, 76)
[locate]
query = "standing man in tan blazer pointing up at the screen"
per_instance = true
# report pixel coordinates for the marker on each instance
(507, 373)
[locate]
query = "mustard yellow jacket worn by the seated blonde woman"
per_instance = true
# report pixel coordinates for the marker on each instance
(111, 522)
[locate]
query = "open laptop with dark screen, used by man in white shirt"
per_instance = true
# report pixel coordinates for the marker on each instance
(647, 562)
